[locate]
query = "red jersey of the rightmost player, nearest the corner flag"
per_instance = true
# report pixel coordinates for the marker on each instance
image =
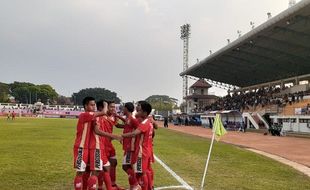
(144, 139)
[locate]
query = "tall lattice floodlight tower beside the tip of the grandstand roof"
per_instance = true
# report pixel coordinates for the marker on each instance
(185, 33)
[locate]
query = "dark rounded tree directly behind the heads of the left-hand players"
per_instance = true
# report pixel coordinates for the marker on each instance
(97, 93)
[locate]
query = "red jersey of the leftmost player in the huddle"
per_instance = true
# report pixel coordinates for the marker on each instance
(83, 129)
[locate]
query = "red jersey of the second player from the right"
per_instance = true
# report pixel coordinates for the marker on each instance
(130, 125)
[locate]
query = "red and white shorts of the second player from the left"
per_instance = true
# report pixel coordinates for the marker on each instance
(97, 159)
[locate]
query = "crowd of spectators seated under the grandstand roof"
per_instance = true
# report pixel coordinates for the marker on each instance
(242, 101)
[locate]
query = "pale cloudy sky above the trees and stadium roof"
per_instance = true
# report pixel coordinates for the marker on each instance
(132, 47)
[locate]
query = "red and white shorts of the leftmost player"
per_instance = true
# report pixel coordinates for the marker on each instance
(80, 156)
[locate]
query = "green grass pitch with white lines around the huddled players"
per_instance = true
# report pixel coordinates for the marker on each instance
(37, 154)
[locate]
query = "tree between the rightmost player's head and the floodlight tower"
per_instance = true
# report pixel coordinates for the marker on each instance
(162, 102)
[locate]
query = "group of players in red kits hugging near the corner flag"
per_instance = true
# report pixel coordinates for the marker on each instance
(94, 154)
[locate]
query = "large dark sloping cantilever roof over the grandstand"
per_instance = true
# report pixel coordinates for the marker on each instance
(275, 50)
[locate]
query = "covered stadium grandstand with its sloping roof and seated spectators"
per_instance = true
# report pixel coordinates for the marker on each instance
(261, 64)
